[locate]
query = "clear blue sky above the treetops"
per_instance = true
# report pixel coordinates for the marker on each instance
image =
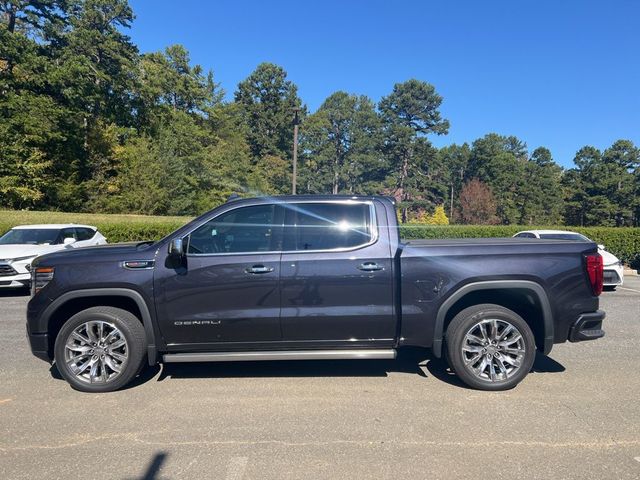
(562, 74)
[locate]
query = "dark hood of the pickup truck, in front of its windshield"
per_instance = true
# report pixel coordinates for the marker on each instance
(110, 252)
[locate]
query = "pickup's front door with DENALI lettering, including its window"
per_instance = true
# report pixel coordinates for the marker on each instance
(226, 294)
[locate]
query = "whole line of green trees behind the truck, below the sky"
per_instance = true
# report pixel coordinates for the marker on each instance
(87, 123)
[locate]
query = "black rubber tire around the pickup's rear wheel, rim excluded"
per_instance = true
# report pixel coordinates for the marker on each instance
(461, 324)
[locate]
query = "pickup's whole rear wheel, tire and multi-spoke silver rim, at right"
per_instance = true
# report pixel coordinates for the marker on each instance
(490, 347)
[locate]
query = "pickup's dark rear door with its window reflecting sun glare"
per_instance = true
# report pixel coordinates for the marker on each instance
(336, 275)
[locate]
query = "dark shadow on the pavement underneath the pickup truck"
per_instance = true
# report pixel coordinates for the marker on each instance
(411, 360)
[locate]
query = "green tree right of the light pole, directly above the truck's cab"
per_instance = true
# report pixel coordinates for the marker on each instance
(342, 138)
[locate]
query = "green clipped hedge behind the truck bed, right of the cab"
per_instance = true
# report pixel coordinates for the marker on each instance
(624, 243)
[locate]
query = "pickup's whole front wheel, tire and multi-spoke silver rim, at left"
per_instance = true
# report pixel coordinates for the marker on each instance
(100, 349)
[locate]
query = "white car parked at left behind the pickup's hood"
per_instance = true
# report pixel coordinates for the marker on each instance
(20, 245)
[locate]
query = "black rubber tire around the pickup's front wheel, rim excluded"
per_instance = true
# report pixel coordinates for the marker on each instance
(132, 330)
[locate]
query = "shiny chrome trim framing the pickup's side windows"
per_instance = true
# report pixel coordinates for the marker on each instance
(373, 229)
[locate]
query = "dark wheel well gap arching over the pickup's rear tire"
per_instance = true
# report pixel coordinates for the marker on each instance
(521, 300)
